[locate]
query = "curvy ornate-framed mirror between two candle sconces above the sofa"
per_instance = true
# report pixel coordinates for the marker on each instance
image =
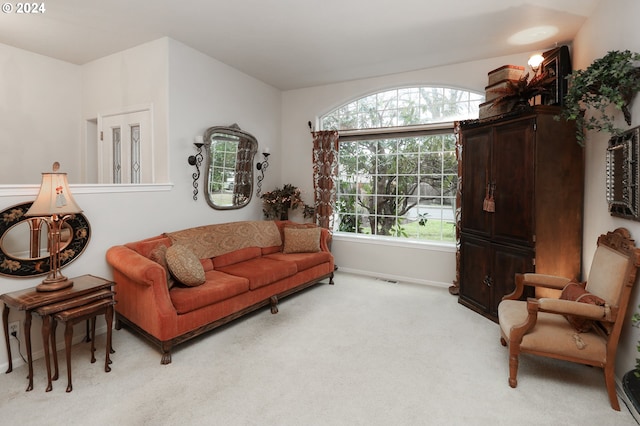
(229, 179)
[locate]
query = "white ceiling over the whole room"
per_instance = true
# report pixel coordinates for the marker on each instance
(299, 43)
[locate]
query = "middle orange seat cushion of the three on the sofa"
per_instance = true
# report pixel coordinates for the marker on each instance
(261, 271)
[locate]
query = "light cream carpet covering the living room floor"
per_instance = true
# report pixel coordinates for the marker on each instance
(362, 352)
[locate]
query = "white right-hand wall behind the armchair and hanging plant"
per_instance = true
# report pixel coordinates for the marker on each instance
(612, 27)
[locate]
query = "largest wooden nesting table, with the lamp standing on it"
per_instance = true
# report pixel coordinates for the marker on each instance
(29, 300)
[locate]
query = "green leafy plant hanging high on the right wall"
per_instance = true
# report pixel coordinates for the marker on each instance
(614, 80)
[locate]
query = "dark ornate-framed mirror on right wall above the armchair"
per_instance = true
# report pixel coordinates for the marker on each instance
(623, 174)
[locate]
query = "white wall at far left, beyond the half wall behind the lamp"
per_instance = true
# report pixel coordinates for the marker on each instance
(39, 116)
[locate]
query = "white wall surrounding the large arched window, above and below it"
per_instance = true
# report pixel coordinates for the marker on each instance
(407, 262)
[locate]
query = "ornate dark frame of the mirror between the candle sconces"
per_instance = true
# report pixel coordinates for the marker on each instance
(233, 130)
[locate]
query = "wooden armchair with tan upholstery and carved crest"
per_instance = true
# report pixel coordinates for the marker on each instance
(584, 324)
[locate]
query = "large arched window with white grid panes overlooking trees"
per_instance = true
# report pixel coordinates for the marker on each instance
(397, 163)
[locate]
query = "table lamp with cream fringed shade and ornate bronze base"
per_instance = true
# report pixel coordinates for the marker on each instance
(55, 205)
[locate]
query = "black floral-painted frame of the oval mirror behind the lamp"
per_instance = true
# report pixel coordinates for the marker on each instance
(12, 266)
